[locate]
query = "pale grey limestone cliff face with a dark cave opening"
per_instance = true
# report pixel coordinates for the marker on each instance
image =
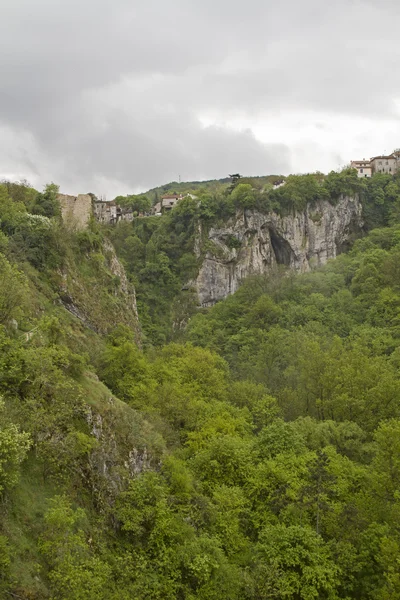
(253, 243)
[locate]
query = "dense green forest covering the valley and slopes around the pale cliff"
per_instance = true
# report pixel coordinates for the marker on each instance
(250, 453)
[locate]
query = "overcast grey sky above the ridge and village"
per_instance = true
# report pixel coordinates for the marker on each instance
(118, 96)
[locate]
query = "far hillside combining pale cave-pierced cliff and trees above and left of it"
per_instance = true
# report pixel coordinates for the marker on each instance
(200, 251)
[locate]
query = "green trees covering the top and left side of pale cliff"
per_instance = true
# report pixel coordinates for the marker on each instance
(159, 252)
